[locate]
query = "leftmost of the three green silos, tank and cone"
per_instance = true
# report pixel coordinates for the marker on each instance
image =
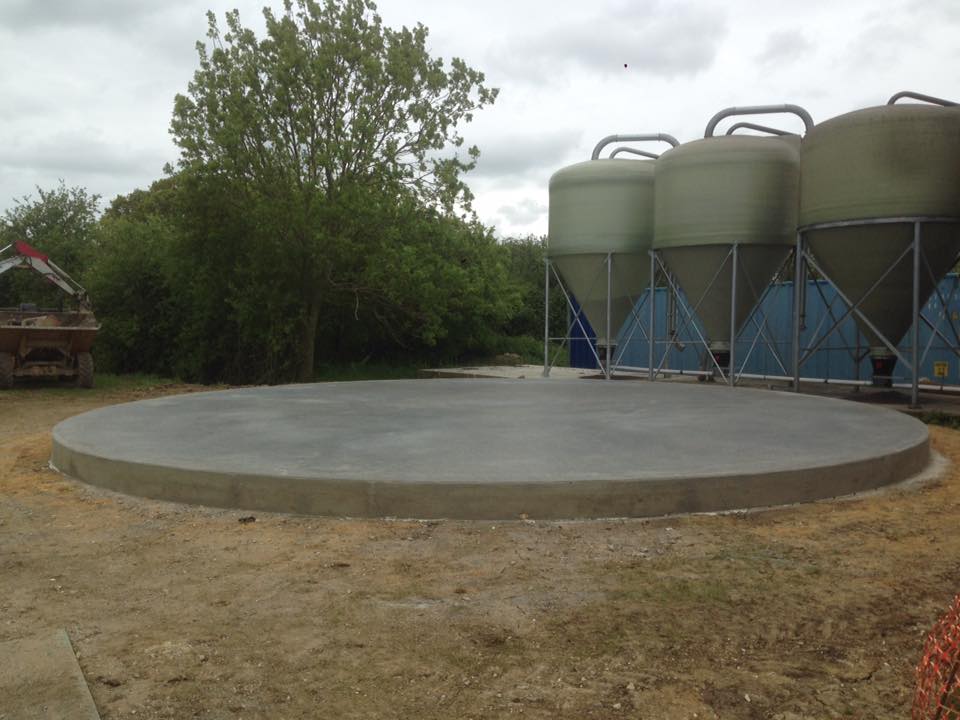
(599, 207)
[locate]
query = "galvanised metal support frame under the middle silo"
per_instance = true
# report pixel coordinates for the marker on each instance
(730, 375)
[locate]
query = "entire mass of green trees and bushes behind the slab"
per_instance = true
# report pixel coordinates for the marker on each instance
(313, 220)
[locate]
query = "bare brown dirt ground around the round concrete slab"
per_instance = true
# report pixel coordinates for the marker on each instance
(818, 611)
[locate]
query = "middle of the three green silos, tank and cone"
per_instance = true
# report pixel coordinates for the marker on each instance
(717, 192)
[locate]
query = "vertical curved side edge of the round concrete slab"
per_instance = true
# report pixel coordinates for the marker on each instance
(493, 500)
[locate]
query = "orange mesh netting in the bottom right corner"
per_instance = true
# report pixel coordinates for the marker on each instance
(938, 695)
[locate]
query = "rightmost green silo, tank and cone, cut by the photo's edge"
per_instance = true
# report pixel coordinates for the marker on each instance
(892, 161)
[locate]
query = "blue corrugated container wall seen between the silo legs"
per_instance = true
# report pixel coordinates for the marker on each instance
(832, 361)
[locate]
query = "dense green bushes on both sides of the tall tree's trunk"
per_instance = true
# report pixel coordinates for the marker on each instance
(185, 284)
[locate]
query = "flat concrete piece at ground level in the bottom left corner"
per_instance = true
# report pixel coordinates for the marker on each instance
(40, 679)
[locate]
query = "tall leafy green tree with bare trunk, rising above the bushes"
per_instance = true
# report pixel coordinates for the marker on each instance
(328, 113)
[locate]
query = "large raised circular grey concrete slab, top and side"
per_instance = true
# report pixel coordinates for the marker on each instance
(491, 449)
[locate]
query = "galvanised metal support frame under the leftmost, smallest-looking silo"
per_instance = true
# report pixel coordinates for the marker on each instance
(610, 361)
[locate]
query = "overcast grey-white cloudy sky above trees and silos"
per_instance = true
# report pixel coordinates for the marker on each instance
(87, 86)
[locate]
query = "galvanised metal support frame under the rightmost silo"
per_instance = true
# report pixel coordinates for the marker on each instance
(805, 259)
